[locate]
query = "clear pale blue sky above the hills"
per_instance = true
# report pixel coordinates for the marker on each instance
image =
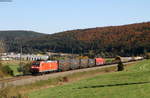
(52, 16)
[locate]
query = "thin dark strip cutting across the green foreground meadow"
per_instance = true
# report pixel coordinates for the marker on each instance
(111, 85)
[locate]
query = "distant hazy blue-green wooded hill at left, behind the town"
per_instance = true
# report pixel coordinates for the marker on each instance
(14, 38)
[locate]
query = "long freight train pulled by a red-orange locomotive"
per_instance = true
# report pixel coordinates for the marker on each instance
(40, 67)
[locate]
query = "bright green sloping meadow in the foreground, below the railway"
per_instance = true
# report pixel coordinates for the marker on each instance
(132, 83)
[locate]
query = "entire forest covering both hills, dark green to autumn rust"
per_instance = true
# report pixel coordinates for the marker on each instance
(125, 40)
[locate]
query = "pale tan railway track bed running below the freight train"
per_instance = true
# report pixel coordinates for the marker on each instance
(22, 80)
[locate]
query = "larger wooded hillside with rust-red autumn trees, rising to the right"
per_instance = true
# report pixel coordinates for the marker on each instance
(126, 40)
